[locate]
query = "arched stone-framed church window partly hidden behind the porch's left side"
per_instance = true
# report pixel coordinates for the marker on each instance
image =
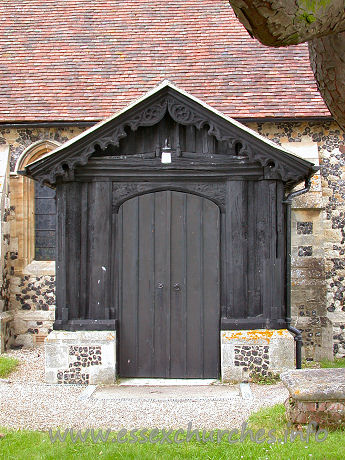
(34, 207)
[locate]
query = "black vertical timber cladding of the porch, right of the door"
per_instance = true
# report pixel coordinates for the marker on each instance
(255, 241)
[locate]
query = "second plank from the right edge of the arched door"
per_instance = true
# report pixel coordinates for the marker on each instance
(194, 293)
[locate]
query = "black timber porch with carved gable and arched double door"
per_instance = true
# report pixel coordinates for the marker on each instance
(170, 253)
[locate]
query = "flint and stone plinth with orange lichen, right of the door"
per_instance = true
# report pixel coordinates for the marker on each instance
(264, 352)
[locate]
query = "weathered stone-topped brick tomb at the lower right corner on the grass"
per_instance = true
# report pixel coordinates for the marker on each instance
(316, 395)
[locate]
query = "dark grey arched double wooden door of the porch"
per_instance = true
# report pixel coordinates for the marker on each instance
(169, 281)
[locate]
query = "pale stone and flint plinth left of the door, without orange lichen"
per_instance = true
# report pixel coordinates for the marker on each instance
(81, 357)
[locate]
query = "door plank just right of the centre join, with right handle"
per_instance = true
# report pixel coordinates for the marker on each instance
(178, 362)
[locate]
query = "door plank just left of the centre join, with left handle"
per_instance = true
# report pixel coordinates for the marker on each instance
(162, 285)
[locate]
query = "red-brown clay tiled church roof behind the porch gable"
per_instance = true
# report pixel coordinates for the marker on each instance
(78, 60)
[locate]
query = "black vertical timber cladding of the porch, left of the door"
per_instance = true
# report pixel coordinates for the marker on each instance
(84, 253)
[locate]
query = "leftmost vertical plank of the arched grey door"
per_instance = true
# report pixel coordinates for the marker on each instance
(129, 298)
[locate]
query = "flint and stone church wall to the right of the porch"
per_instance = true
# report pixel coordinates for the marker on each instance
(318, 236)
